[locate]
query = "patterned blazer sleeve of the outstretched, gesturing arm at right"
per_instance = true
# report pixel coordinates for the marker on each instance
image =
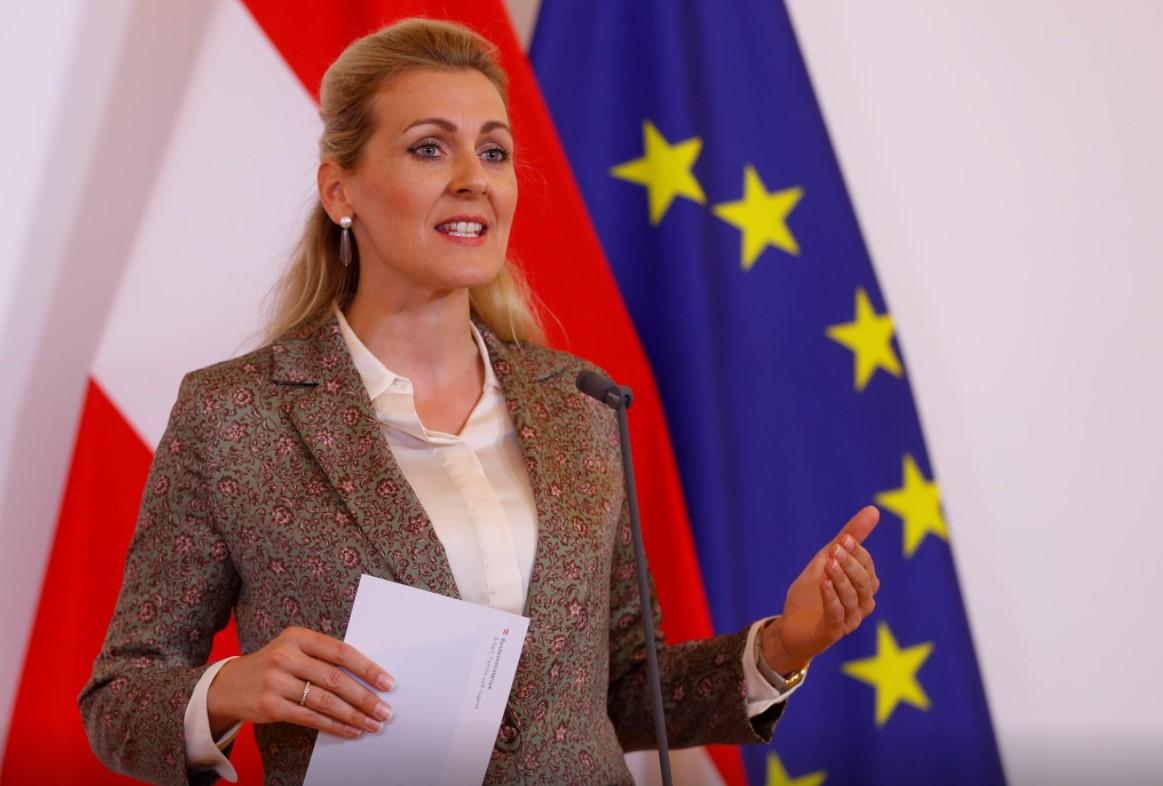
(703, 684)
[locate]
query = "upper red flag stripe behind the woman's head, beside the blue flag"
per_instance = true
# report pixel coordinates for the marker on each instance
(556, 245)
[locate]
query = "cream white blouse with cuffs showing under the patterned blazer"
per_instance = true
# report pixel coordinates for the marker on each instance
(477, 495)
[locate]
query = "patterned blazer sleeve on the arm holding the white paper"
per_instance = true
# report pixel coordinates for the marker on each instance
(179, 590)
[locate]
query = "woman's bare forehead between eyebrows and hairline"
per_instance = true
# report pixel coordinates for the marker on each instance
(466, 98)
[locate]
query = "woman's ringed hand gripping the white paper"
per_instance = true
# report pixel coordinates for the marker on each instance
(267, 687)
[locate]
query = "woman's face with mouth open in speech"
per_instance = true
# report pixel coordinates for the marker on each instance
(436, 191)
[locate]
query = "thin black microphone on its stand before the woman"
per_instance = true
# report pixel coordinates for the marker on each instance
(618, 398)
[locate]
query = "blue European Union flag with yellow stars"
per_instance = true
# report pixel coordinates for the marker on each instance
(698, 145)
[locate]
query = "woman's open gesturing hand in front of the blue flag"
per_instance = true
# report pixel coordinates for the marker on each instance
(827, 602)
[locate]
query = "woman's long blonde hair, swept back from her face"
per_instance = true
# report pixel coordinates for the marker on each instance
(317, 282)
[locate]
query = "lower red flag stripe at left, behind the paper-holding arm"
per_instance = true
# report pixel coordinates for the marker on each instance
(47, 741)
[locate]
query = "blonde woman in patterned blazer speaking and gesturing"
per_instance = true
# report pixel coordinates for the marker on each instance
(405, 423)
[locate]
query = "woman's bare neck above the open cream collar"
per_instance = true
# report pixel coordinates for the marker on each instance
(427, 341)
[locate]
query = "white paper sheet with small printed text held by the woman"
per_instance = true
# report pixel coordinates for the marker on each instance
(454, 664)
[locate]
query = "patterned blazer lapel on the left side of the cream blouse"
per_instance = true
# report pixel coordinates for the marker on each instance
(340, 428)
